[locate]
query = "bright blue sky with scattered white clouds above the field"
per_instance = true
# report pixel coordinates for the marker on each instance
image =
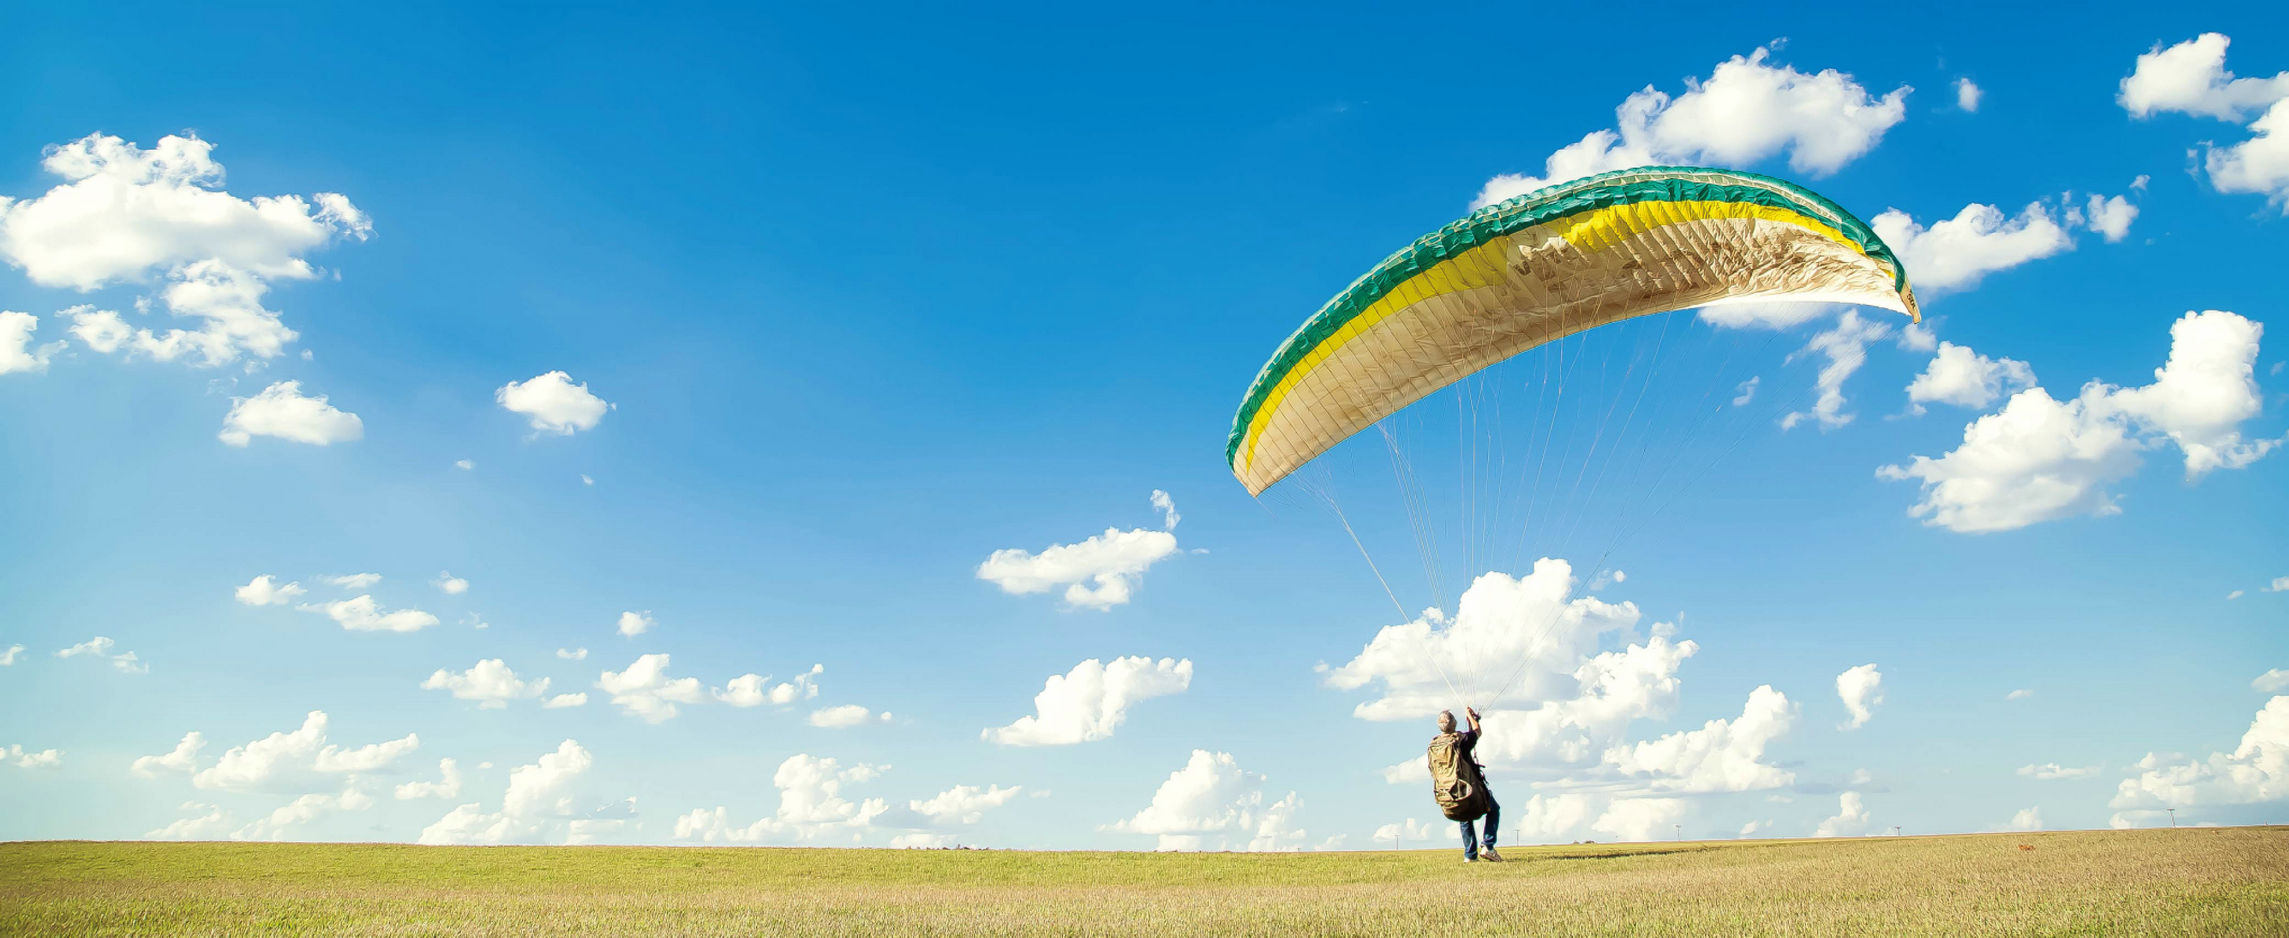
(841, 308)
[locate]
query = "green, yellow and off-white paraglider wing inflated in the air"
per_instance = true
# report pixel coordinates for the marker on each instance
(1539, 269)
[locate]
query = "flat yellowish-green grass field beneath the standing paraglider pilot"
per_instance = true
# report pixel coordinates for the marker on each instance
(2068, 884)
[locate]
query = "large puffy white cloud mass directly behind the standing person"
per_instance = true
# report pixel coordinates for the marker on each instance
(1569, 703)
